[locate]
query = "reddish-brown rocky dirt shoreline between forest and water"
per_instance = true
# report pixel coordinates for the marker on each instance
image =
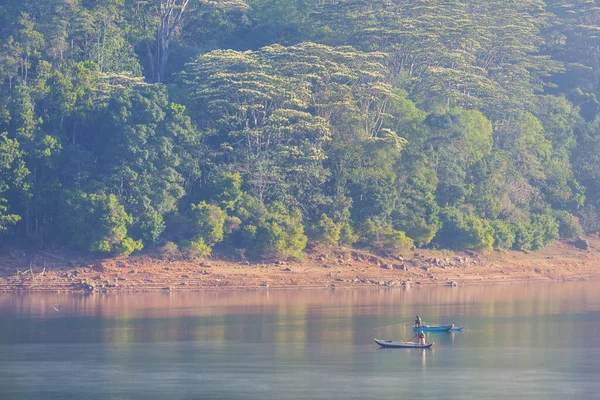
(323, 268)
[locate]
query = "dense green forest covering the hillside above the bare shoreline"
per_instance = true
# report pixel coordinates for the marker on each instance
(257, 128)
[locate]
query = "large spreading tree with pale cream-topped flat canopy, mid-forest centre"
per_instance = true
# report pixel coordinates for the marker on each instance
(274, 109)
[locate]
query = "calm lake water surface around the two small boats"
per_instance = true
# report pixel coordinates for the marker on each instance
(521, 341)
